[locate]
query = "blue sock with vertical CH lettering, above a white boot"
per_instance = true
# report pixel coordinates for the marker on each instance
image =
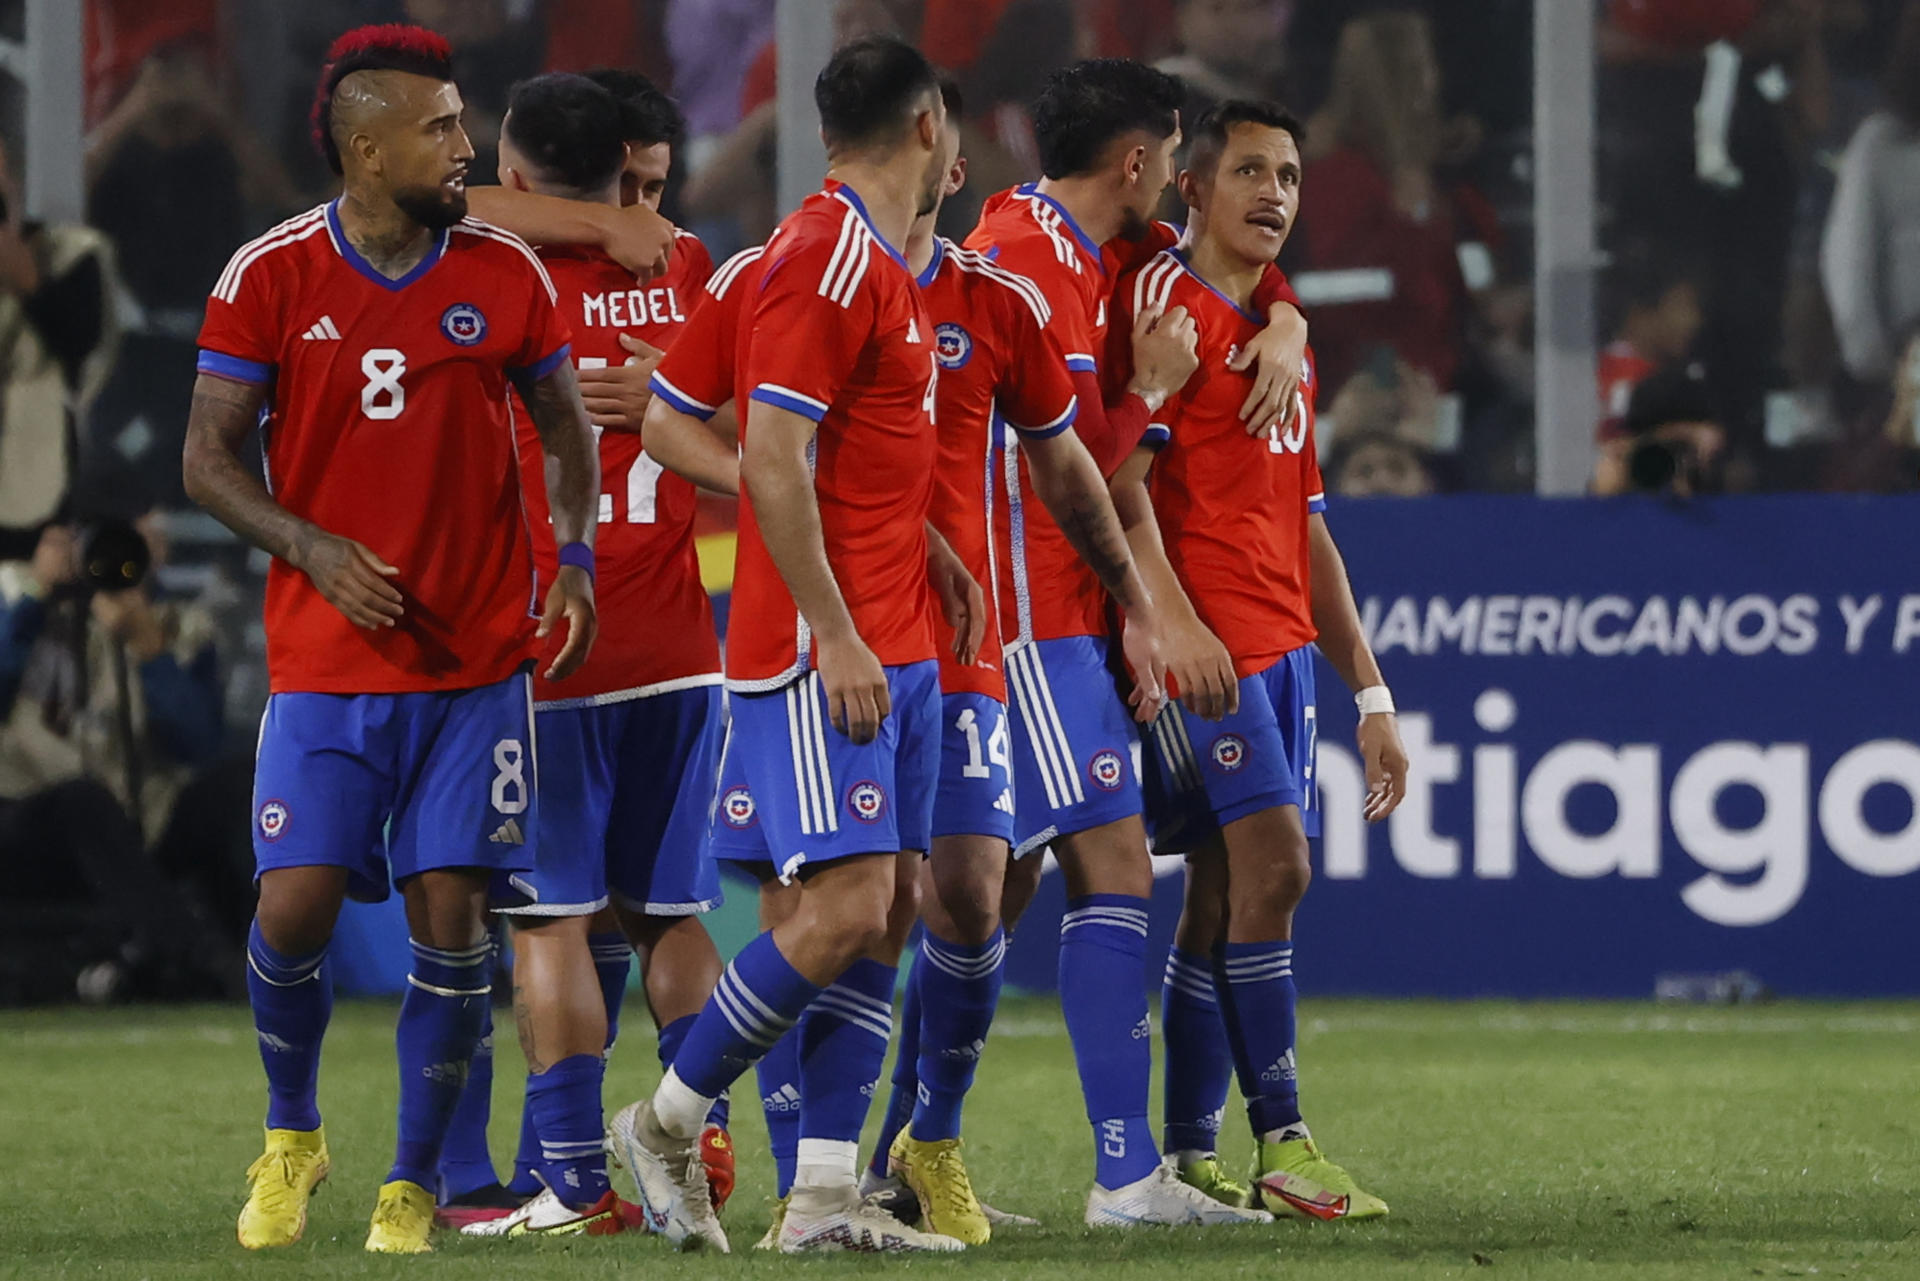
(1103, 950)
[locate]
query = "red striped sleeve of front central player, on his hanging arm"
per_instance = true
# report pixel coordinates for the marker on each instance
(807, 327)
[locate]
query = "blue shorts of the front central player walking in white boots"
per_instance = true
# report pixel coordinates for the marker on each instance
(794, 790)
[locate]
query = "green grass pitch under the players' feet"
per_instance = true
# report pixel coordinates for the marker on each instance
(1512, 1140)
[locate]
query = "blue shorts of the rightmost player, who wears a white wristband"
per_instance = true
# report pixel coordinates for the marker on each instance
(1203, 775)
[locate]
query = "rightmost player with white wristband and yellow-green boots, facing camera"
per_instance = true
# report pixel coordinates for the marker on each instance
(1247, 558)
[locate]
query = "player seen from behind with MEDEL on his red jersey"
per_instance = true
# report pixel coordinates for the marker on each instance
(631, 740)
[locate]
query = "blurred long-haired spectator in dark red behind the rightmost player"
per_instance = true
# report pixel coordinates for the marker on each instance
(1380, 210)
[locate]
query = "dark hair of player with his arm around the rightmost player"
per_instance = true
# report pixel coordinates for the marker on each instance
(1090, 105)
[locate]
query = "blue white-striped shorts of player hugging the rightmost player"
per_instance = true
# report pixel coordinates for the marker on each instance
(1076, 750)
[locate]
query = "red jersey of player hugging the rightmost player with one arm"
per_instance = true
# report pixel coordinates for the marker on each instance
(1047, 591)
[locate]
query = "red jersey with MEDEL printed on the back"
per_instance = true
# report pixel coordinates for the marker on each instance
(656, 623)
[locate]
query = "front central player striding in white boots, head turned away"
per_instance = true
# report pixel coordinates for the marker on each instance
(832, 656)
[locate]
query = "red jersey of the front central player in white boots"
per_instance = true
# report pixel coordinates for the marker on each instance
(832, 329)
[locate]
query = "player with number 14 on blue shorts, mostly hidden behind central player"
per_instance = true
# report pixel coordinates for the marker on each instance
(999, 372)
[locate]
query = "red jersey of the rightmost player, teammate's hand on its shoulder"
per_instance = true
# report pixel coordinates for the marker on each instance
(1234, 510)
